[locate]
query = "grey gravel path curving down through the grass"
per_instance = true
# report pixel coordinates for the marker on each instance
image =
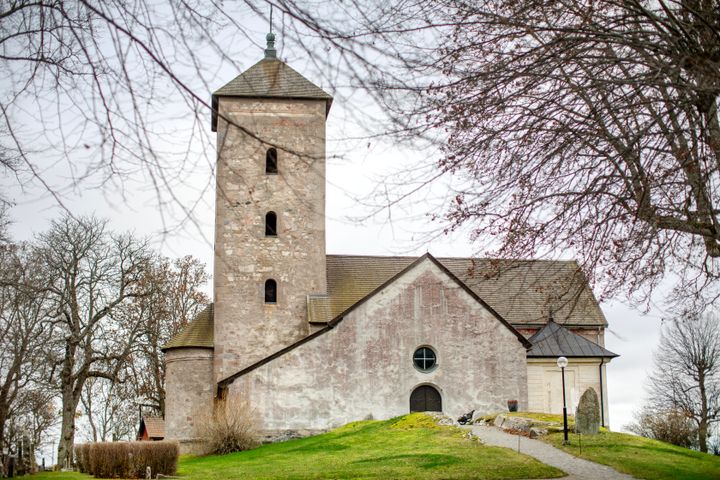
(577, 468)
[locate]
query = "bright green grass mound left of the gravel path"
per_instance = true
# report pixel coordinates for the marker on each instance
(406, 447)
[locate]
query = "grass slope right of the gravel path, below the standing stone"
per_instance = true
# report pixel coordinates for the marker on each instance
(640, 457)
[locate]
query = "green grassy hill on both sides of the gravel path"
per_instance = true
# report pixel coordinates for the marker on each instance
(415, 447)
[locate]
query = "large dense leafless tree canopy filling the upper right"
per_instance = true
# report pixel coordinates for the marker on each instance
(582, 127)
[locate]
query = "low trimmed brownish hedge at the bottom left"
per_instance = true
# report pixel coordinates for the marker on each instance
(127, 459)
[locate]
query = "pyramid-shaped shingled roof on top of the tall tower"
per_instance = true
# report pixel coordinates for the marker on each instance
(269, 78)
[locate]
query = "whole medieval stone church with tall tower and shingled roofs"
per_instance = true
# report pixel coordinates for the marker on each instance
(312, 341)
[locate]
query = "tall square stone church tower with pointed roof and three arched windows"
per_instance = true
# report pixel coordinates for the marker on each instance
(270, 211)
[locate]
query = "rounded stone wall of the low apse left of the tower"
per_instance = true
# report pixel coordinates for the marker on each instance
(189, 393)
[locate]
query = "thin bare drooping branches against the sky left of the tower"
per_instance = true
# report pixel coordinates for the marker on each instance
(99, 93)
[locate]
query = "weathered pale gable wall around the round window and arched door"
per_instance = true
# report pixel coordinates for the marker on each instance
(364, 368)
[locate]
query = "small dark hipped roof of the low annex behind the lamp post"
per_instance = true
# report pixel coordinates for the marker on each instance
(554, 340)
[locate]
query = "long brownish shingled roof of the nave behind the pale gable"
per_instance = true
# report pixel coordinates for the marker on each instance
(524, 292)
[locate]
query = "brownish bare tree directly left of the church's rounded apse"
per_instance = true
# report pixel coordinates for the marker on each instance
(173, 298)
